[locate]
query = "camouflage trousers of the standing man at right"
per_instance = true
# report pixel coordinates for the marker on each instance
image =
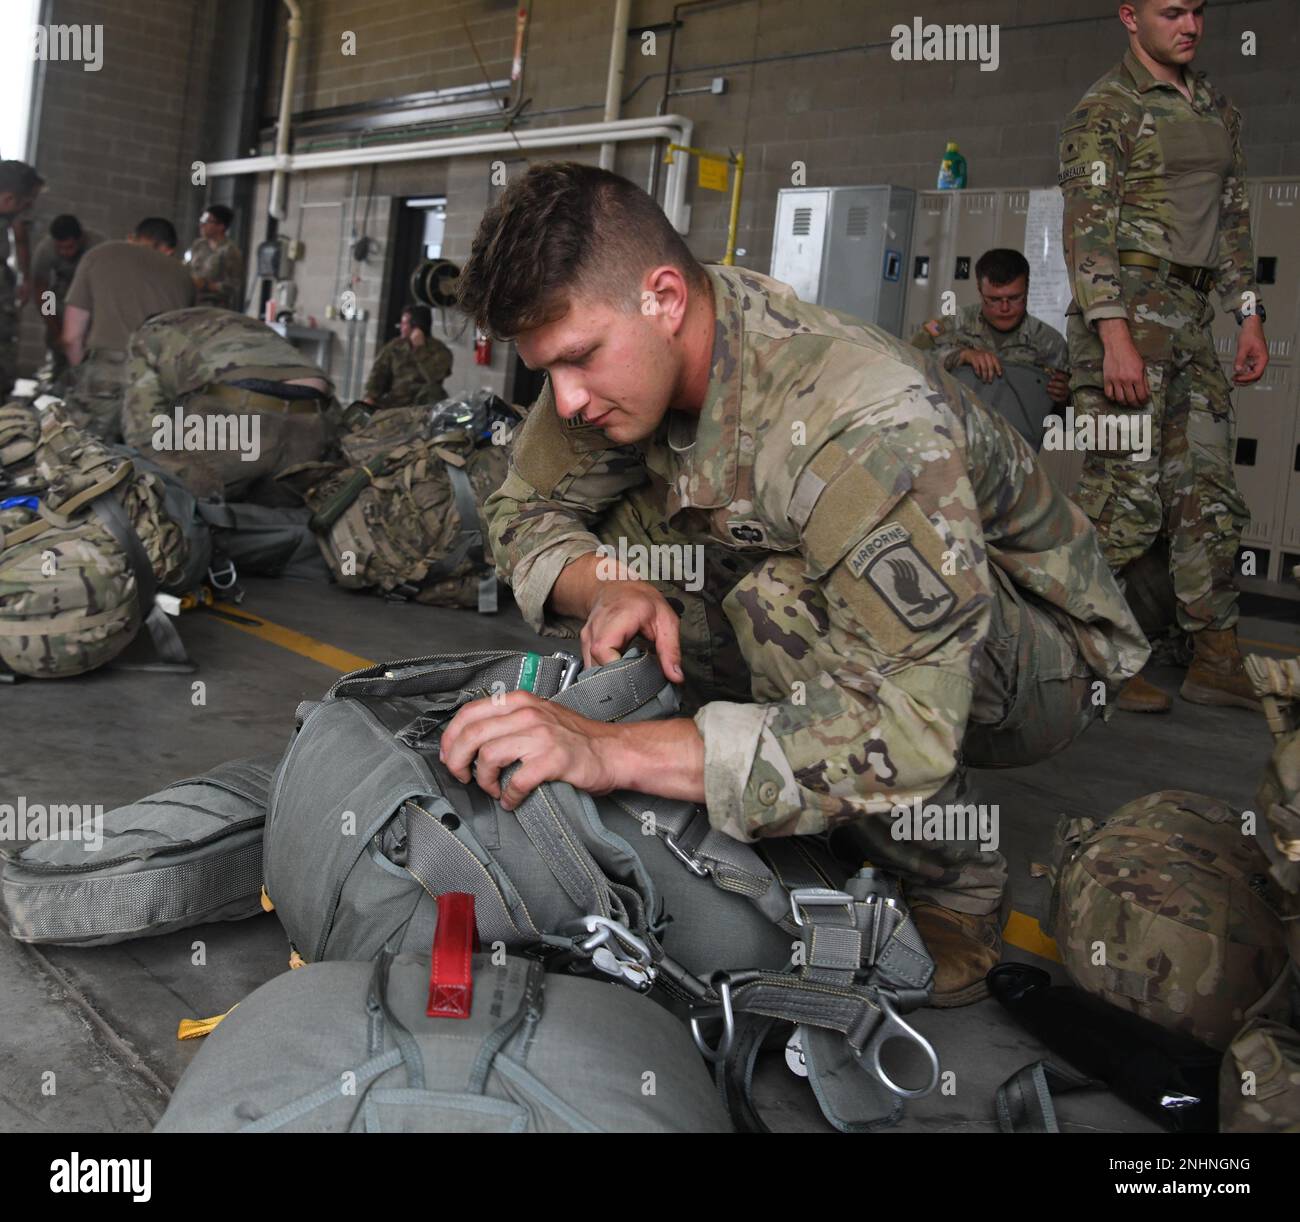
(1186, 488)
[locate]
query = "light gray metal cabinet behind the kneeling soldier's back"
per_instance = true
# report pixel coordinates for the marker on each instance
(847, 249)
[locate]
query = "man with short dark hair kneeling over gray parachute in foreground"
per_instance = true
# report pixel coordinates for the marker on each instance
(890, 584)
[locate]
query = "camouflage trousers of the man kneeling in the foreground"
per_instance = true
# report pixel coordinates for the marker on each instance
(1033, 699)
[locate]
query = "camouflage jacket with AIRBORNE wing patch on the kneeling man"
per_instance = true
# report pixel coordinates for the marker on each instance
(822, 443)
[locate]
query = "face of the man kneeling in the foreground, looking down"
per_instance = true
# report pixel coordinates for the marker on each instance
(616, 369)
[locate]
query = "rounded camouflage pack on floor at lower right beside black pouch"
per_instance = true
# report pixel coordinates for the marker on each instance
(1167, 909)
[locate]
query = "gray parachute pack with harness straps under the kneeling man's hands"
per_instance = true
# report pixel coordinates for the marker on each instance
(366, 826)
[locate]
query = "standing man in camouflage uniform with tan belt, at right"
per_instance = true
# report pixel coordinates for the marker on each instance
(1156, 216)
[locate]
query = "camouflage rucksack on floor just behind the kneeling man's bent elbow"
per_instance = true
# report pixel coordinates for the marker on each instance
(405, 517)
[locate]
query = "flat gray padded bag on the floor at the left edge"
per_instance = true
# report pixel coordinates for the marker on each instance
(185, 856)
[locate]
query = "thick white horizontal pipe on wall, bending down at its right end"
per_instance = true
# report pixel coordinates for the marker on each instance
(675, 128)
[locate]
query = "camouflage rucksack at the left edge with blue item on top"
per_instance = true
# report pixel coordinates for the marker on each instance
(83, 554)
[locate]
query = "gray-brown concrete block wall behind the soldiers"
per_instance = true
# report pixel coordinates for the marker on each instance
(809, 81)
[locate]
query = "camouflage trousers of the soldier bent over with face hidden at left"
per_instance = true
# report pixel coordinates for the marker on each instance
(284, 440)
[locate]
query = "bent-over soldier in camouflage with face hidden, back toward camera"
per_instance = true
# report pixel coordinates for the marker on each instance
(211, 362)
